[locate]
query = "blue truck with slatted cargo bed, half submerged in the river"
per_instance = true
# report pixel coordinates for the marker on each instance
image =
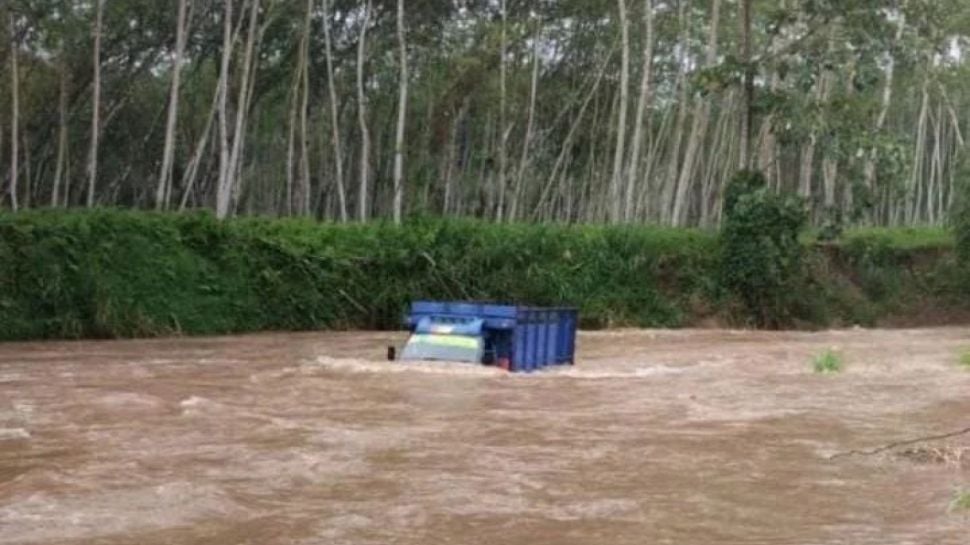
(513, 337)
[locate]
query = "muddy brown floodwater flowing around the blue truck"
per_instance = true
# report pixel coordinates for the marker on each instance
(679, 437)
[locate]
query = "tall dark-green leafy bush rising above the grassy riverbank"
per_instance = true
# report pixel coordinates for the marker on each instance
(761, 252)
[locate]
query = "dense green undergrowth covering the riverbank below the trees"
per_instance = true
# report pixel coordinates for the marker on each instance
(94, 274)
